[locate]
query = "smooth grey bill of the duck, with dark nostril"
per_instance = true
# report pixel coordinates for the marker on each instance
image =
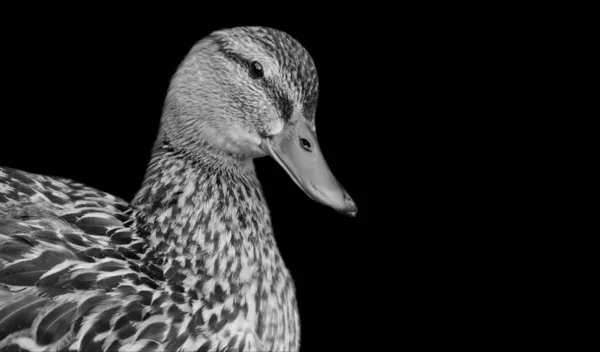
(296, 149)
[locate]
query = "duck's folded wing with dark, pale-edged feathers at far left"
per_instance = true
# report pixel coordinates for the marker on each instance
(67, 245)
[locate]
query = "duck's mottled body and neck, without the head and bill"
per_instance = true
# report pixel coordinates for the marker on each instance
(82, 253)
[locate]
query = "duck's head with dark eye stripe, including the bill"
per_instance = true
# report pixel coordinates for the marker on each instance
(248, 92)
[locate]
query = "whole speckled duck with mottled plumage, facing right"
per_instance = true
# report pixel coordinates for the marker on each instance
(191, 263)
